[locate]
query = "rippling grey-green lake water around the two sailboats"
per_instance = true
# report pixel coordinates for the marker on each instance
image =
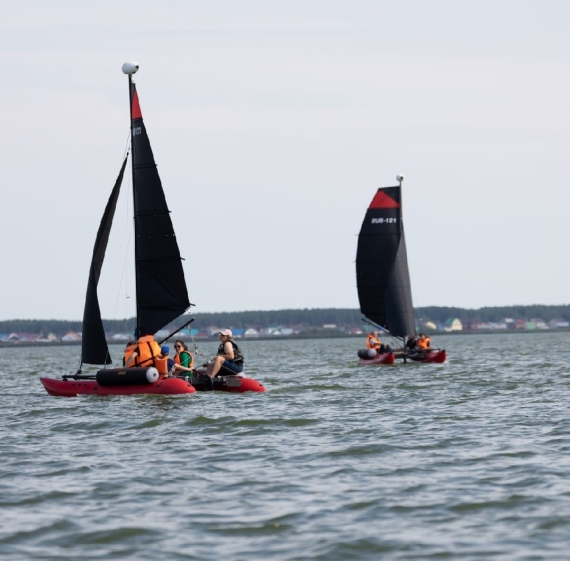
(465, 460)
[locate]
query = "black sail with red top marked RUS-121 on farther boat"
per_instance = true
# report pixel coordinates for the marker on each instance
(382, 275)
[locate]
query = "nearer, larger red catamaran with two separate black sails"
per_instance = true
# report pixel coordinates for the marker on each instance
(161, 292)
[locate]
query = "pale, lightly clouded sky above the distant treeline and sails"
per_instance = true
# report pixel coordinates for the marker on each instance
(273, 124)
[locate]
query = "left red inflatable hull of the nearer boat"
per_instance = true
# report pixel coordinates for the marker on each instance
(73, 388)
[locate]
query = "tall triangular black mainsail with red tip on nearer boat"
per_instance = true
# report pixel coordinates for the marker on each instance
(161, 288)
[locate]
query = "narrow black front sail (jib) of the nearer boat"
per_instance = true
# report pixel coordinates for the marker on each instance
(94, 349)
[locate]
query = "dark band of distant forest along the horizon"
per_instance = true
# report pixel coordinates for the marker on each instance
(306, 318)
